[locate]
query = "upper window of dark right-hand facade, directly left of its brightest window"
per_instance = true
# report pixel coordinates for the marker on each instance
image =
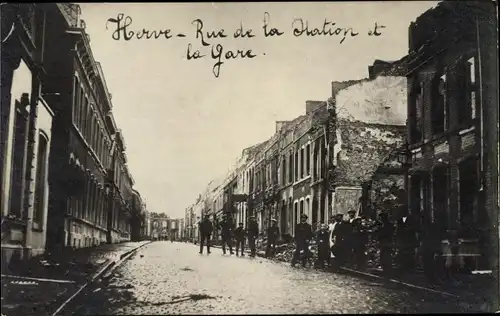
(438, 106)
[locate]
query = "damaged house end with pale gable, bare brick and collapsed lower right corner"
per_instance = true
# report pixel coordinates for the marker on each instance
(370, 126)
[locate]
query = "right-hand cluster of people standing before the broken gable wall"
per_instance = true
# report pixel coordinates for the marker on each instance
(344, 242)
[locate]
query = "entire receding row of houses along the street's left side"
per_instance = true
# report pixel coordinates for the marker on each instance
(64, 173)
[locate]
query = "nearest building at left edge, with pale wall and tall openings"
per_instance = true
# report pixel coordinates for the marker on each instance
(26, 135)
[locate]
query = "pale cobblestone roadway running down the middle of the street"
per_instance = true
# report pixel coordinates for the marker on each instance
(173, 278)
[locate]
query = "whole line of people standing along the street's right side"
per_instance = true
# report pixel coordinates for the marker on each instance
(340, 243)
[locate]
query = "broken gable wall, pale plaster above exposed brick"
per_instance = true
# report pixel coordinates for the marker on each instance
(371, 124)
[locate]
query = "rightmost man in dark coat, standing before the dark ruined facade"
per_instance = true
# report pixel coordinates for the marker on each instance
(406, 240)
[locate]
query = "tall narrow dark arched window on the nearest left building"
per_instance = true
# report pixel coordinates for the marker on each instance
(41, 180)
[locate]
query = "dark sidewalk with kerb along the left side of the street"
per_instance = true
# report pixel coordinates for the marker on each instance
(40, 285)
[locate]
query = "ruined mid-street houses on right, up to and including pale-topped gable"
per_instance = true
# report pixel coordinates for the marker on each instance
(325, 161)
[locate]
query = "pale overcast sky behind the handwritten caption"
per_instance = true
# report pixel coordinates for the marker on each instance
(183, 126)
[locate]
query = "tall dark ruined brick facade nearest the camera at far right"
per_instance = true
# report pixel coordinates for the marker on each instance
(453, 124)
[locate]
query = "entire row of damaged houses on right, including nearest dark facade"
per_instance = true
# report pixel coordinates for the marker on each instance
(421, 132)
